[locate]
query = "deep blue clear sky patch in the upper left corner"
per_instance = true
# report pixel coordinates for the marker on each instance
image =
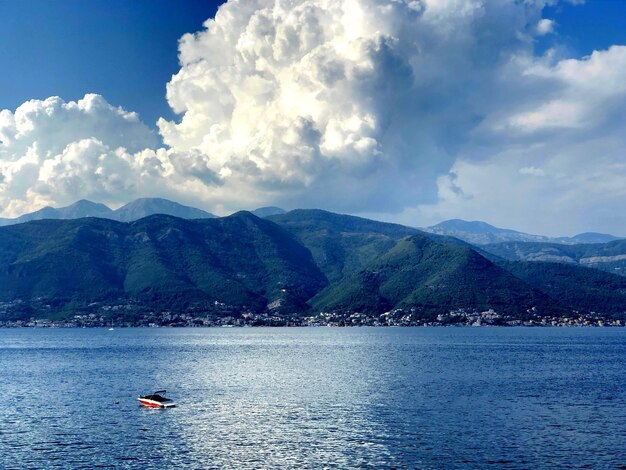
(125, 50)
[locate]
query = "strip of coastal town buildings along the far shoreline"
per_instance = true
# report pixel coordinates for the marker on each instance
(126, 315)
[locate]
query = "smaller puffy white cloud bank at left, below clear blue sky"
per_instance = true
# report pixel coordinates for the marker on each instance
(54, 152)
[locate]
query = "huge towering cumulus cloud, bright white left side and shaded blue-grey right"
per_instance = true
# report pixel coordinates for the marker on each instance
(346, 104)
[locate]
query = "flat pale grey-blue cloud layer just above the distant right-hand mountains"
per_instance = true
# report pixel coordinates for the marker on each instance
(571, 195)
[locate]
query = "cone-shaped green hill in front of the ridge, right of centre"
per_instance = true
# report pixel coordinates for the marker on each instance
(433, 277)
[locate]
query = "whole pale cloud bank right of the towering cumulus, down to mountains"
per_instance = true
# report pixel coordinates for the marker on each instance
(562, 166)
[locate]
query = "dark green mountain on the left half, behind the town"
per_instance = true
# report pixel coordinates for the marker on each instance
(238, 260)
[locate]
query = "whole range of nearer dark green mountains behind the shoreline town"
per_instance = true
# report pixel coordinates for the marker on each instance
(298, 262)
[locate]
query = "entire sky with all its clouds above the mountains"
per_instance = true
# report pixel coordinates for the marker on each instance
(411, 111)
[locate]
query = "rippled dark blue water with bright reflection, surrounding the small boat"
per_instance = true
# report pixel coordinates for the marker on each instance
(314, 397)
